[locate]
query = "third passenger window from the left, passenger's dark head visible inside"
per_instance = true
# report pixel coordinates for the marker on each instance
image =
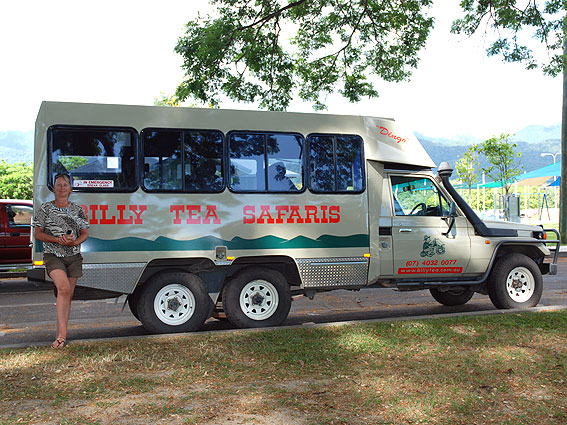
(271, 162)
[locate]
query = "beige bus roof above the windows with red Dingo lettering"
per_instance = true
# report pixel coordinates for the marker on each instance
(384, 139)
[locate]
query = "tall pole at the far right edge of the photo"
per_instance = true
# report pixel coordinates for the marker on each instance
(563, 183)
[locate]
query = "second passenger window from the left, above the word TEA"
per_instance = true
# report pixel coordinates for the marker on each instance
(183, 160)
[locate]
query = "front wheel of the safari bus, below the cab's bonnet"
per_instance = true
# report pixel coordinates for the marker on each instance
(515, 282)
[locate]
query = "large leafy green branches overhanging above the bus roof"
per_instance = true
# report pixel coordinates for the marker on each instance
(243, 51)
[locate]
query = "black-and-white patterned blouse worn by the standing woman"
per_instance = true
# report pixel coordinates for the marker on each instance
(57, 221)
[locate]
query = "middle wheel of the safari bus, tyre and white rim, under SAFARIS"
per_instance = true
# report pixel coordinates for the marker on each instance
(257, 298)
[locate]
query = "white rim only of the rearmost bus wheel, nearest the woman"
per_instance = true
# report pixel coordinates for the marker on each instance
(174, 304)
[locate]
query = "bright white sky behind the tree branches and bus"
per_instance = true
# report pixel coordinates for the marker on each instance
(122, 51)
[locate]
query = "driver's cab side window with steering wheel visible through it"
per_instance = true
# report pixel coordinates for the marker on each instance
(417, 196)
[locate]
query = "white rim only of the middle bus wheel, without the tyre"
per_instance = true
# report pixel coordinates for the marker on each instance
(259, 299)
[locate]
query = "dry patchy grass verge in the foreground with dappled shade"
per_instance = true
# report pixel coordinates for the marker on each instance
(509, 369)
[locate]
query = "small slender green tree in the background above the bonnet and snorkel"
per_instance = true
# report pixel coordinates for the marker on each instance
(502, 159)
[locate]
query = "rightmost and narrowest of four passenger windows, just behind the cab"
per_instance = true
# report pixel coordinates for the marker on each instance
(336, 163)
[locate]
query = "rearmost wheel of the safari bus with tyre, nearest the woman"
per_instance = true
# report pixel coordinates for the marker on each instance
(174, 302)
